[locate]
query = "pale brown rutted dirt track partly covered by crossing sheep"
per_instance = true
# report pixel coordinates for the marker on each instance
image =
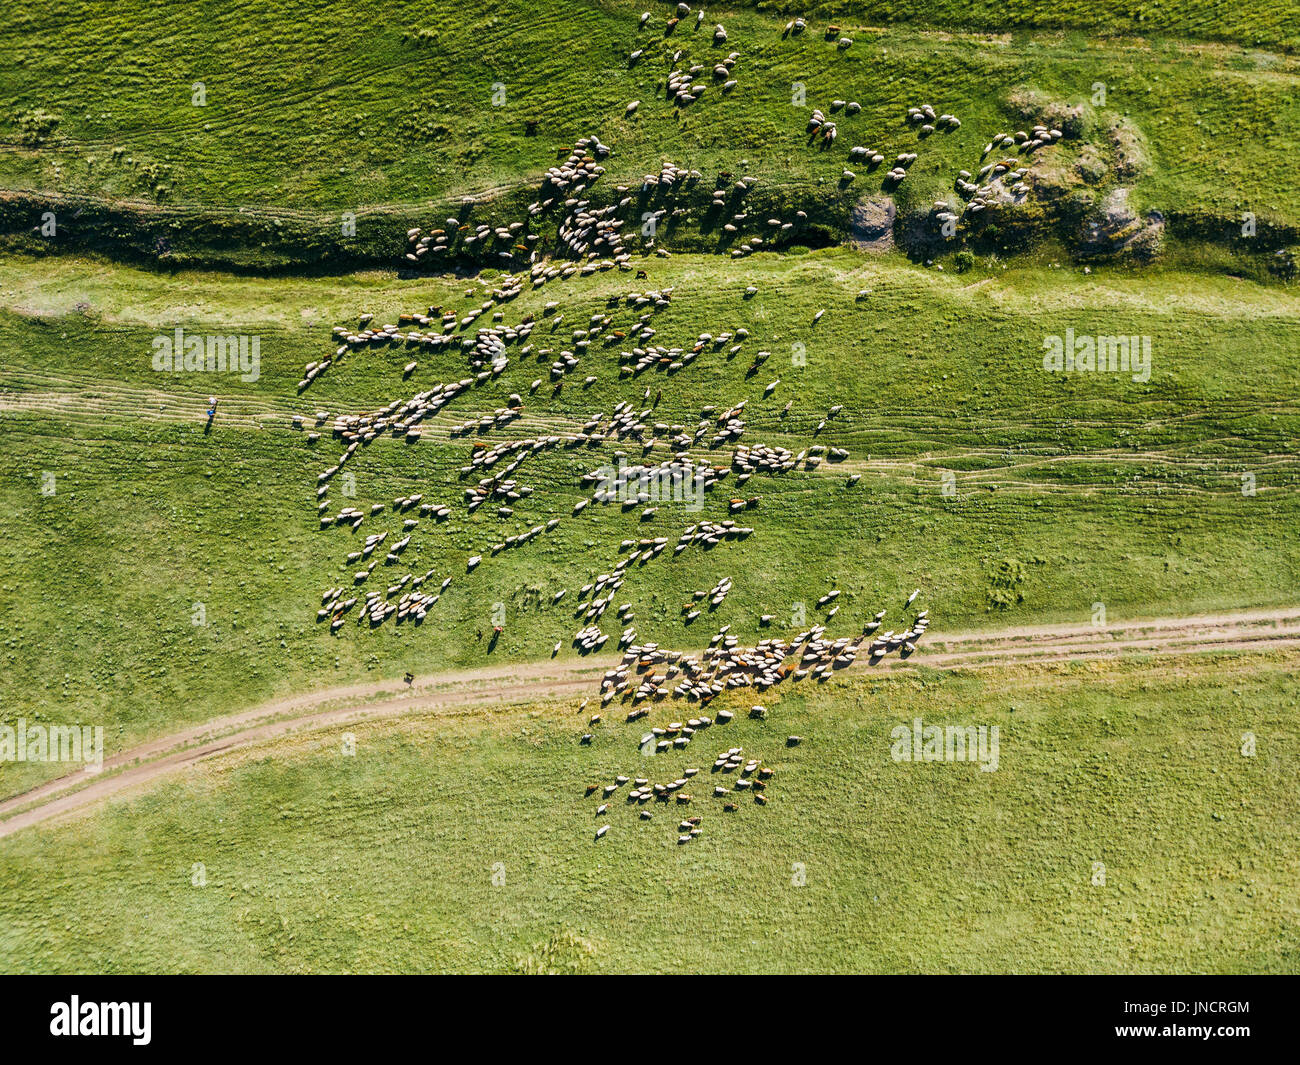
(528, 682)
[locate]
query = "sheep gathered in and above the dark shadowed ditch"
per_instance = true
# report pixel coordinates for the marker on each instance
(569, 233)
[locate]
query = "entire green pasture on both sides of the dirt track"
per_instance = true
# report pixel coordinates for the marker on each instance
(253, 171)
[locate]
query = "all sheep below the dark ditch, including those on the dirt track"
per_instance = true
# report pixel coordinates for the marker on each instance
(493, 477)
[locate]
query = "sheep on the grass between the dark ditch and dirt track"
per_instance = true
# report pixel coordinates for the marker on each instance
(487, 349)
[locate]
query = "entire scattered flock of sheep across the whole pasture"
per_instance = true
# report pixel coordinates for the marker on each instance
(583, 240)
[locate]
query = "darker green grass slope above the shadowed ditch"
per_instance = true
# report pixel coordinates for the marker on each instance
(393, 112)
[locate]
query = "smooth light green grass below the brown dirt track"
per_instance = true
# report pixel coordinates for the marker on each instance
(463, 845)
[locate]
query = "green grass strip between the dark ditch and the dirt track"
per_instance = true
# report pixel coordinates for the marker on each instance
(1095, 490)
